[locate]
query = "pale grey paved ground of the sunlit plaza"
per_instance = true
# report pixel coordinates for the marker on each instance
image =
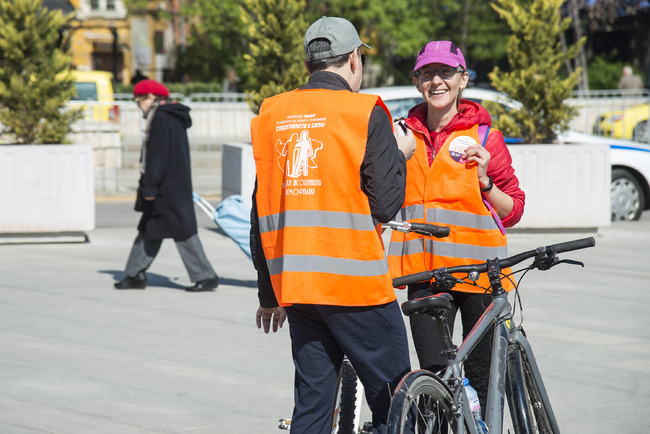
(78, 357)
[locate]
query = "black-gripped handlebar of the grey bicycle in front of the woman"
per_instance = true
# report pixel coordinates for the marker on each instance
(482, 267)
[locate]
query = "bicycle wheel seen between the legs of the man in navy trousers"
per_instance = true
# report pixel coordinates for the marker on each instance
(345, 420)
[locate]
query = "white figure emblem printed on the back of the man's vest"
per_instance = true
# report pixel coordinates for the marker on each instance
(300, 154)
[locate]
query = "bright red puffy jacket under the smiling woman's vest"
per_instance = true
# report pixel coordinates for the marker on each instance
(500, 167)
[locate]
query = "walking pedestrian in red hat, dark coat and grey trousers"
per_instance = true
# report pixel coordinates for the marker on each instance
(165, 192)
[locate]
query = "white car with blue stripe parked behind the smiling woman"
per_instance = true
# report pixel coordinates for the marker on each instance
(630, 189)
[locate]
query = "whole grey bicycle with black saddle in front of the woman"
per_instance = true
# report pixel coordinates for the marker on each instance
(426, 402)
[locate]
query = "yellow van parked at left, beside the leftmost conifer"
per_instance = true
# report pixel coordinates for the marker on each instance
(97, 89)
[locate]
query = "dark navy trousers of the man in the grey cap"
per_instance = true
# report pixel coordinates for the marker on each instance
(374, 340)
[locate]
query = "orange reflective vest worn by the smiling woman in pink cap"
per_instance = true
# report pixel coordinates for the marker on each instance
(446, 193)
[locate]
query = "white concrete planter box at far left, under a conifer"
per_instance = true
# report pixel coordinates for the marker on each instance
(46, 190)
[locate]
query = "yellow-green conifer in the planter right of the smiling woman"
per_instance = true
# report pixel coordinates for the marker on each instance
(536, 58)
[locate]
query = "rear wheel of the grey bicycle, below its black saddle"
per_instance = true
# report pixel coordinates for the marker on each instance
(422, 403)
